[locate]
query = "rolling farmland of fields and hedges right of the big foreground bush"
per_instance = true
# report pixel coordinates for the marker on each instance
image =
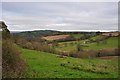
(67, 55)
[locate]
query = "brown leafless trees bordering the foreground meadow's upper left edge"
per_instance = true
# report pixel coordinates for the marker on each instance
(35, 45)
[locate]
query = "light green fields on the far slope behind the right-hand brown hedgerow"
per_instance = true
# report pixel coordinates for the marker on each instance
(111, 42)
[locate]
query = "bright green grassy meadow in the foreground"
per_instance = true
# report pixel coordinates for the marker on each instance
(46, 65)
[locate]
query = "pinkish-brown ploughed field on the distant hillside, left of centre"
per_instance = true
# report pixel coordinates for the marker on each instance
(56, 37)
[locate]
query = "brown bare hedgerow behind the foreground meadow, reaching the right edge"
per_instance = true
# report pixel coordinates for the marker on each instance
(93, 53)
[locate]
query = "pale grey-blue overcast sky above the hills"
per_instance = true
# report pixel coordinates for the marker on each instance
(22, 16)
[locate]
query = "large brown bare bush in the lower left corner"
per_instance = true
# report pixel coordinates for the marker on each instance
(13, 65)
